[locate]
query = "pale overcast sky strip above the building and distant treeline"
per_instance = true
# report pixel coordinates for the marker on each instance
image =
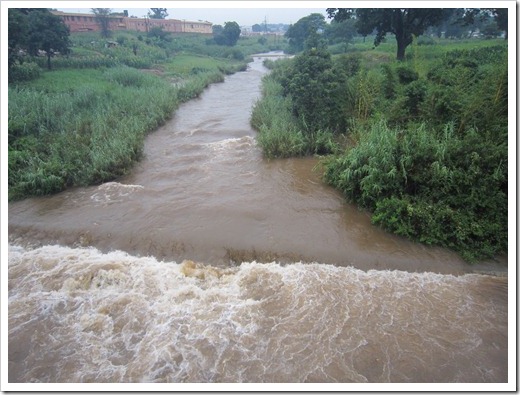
(218, 16)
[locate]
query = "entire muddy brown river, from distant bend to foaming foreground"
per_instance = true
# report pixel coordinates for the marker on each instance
(201, 266)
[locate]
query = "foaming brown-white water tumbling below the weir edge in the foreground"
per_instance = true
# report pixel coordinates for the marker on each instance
(79, 315)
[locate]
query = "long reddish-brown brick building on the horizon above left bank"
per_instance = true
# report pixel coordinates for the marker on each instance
(87, 22)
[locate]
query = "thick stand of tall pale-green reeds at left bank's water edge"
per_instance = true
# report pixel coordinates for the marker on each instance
(78, 134)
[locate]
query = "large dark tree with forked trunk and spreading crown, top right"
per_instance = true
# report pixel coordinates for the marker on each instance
(404, 23)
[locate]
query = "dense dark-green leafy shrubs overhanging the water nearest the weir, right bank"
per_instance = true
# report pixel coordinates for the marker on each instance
(448, 190)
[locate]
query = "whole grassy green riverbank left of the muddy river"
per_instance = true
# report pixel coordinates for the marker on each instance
(84, 122)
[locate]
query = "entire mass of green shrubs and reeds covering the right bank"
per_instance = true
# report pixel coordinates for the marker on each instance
(421, 143)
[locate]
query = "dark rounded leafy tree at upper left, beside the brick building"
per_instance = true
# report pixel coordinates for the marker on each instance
(48, 33)
